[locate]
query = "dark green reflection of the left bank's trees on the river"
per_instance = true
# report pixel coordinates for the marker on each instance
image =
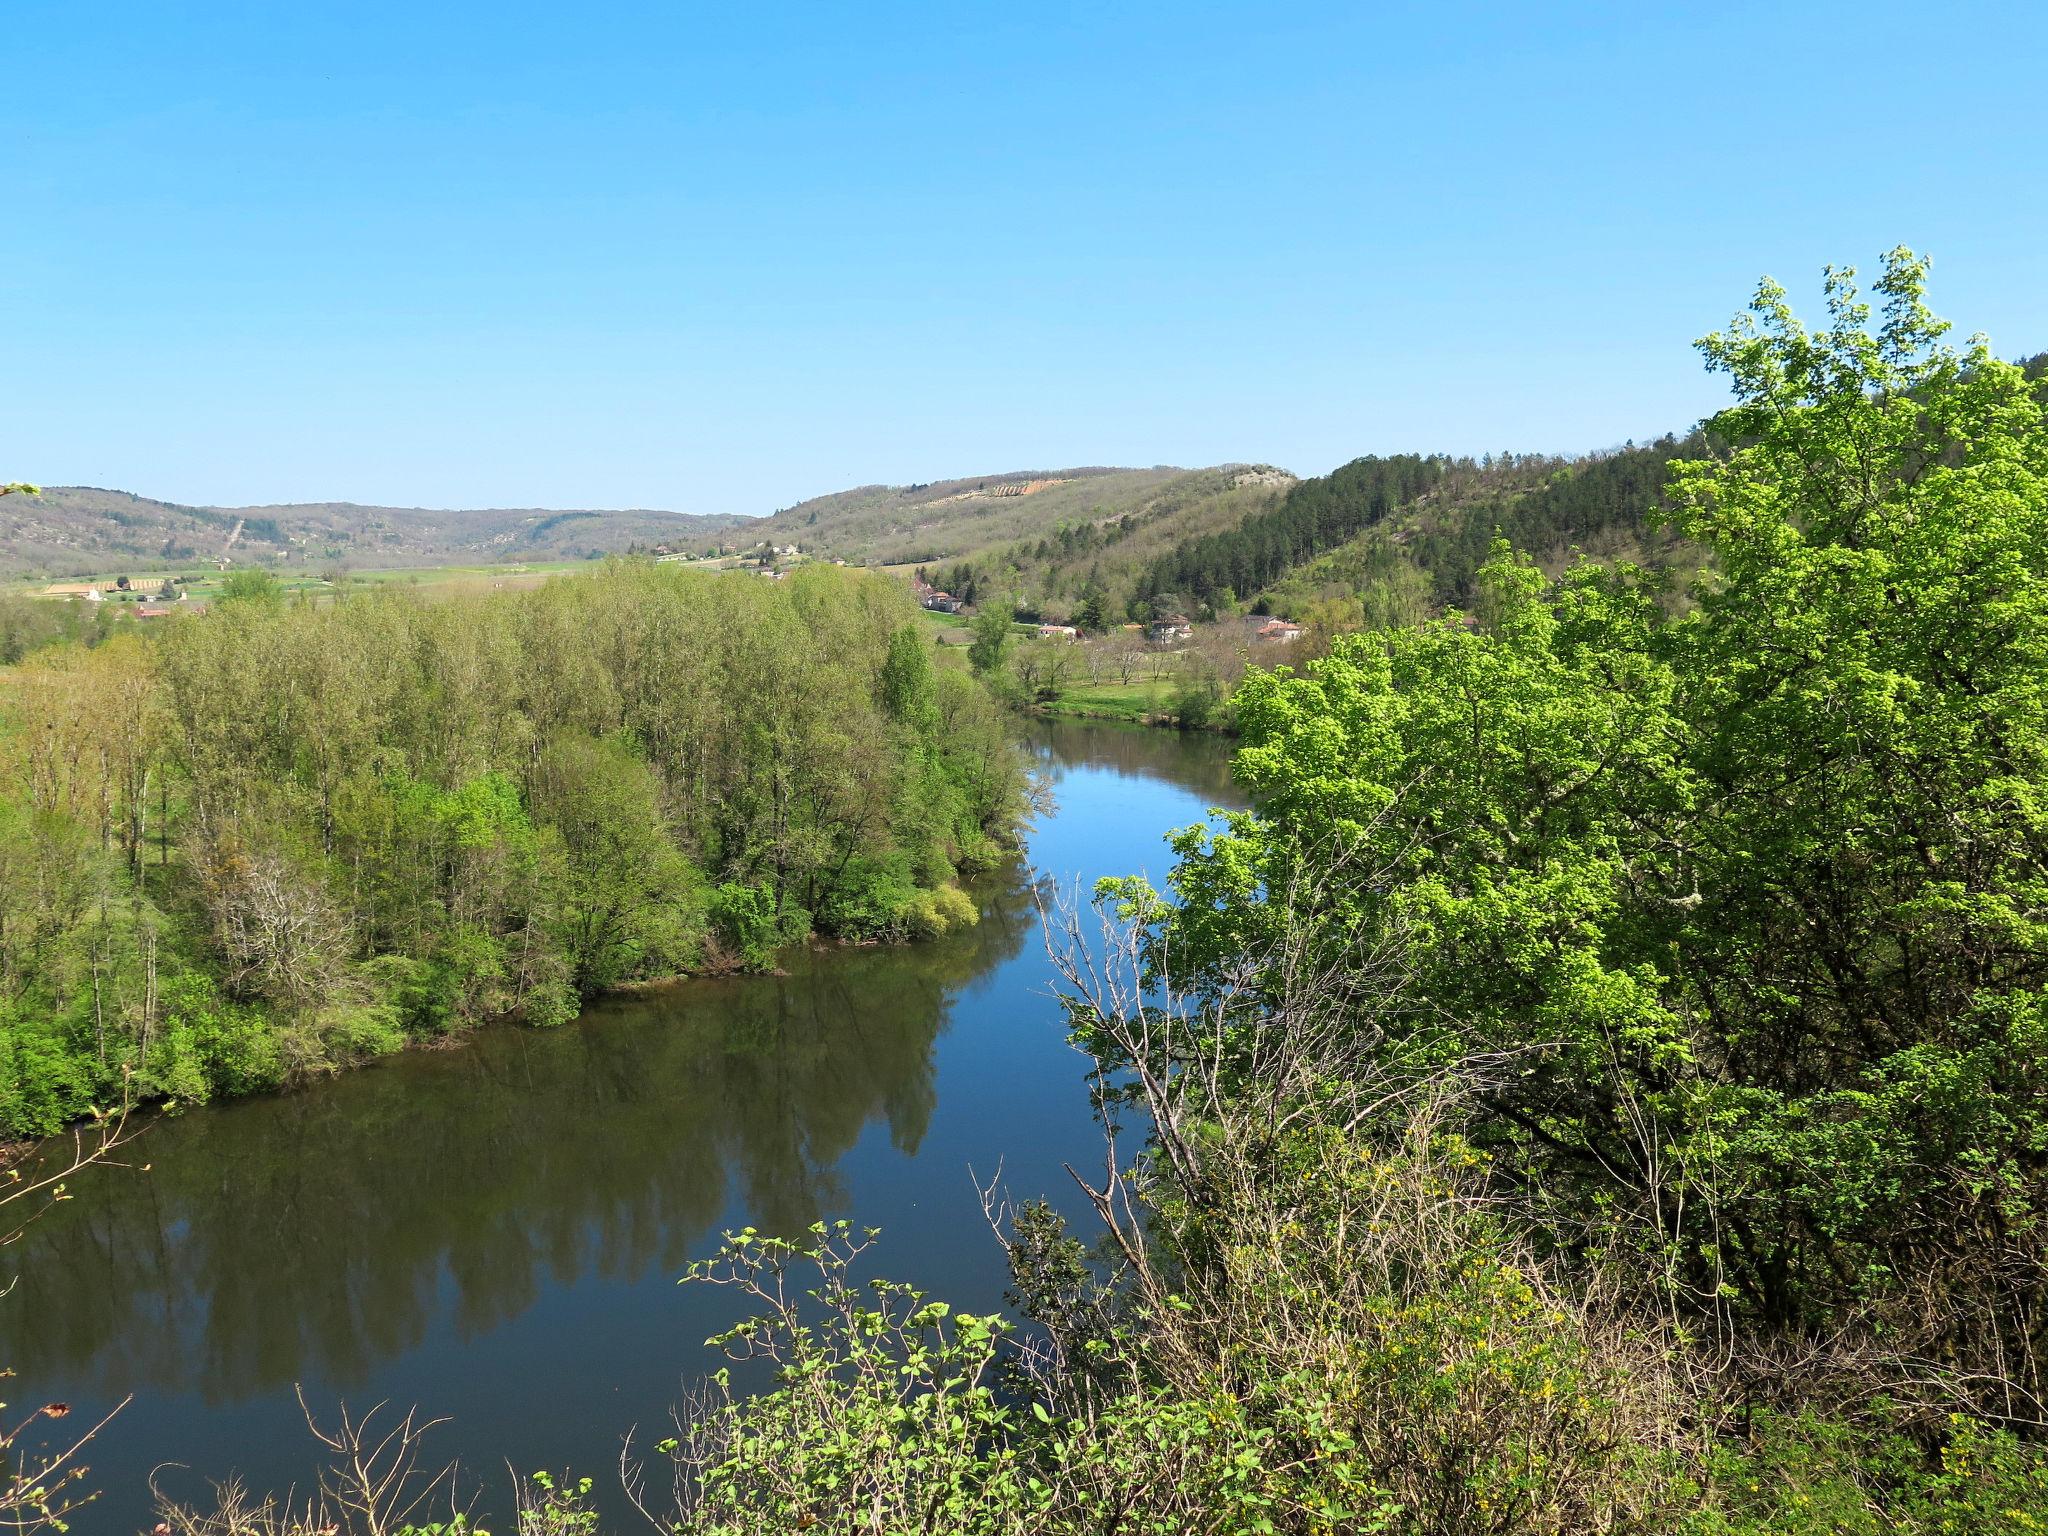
(325, 1232)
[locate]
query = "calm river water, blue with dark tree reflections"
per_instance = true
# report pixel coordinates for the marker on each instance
(495, 1232)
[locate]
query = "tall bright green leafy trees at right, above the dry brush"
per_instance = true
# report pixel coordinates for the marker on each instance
(1754, 896)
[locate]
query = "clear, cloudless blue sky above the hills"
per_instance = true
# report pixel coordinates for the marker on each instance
(726, 257)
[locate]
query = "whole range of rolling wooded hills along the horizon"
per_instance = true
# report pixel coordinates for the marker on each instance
(1146, 540)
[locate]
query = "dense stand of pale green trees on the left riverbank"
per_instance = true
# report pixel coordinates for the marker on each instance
(267, 841)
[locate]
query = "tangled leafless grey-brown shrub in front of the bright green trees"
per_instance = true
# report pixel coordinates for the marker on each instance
(1310, 1203)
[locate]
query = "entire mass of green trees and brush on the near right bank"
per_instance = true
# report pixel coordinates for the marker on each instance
(1596, 1091)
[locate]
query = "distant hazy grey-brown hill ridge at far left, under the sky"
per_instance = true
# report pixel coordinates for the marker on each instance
(87, 531)
